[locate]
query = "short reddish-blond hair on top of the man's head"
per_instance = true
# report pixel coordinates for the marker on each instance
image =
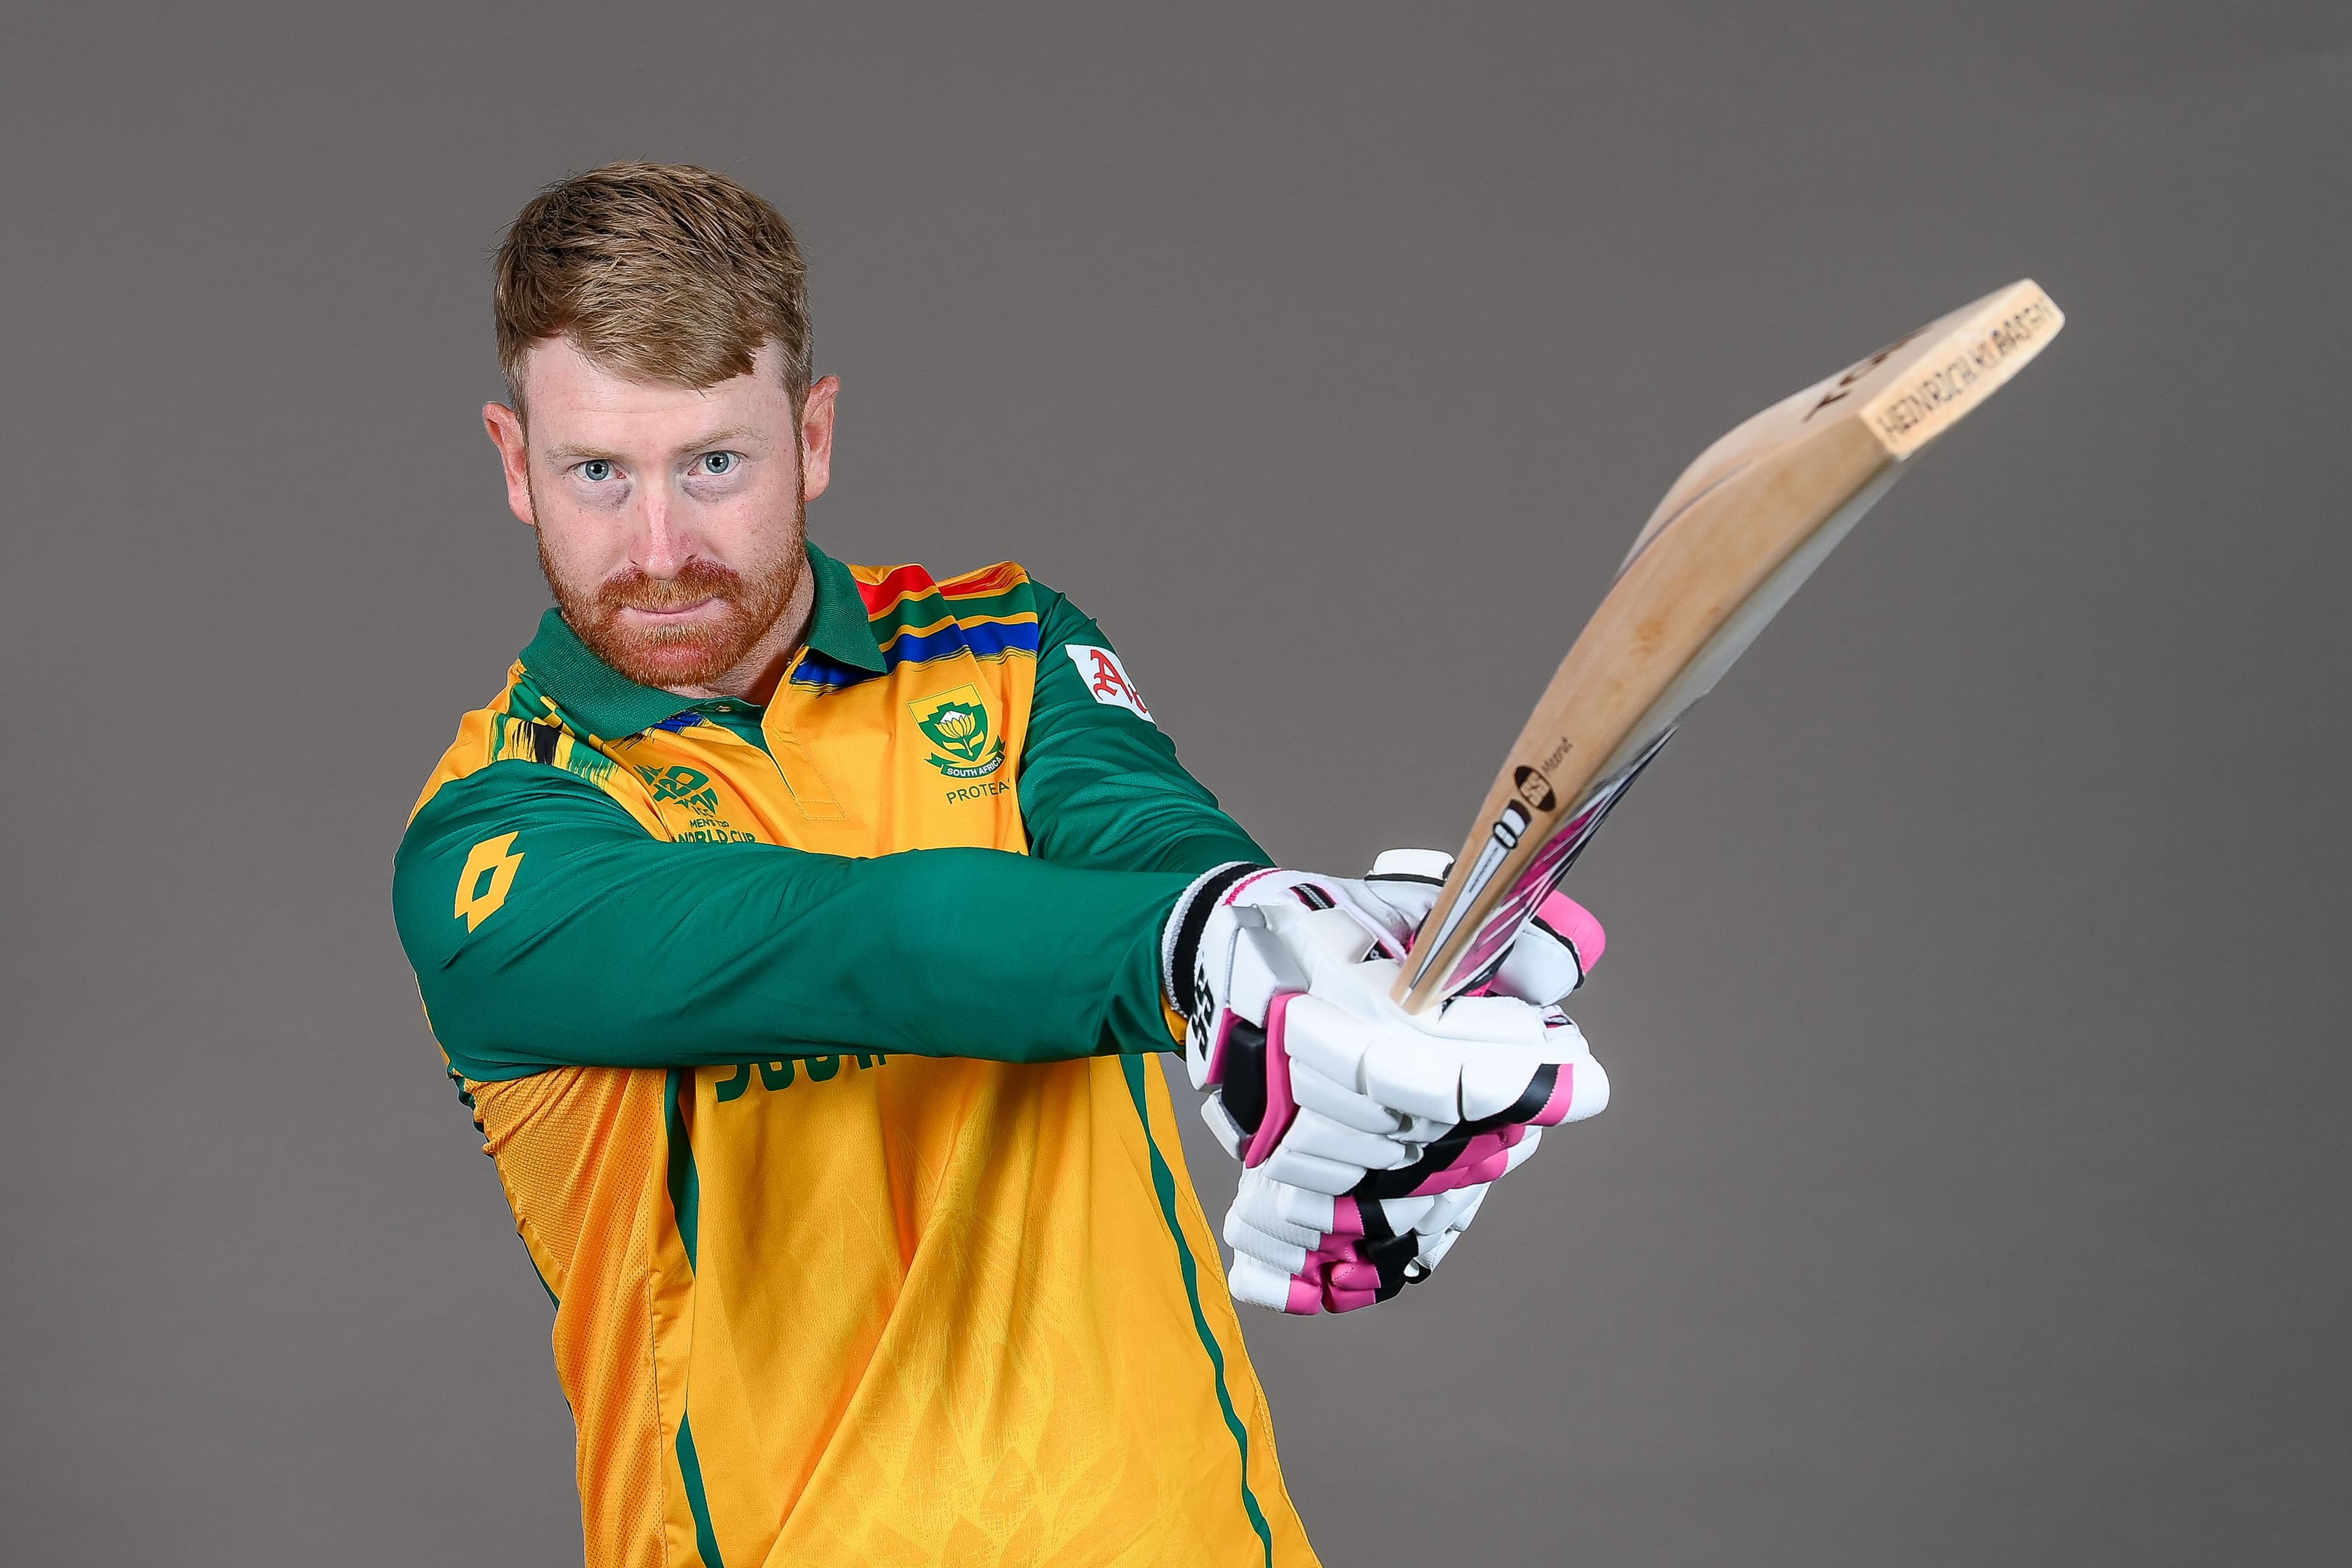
(655, 272)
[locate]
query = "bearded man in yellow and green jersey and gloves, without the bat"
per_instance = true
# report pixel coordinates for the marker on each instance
(801, 937)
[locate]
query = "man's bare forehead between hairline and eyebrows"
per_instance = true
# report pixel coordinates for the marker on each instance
(577, 401)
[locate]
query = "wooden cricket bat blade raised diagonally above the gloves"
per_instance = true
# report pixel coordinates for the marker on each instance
(1732, 542)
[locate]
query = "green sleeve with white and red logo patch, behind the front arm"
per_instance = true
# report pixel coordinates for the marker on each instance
(1100, 784)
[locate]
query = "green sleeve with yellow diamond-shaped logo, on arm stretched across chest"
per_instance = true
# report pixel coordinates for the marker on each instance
(584, 942)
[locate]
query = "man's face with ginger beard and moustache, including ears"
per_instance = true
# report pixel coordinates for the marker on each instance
(669, 518)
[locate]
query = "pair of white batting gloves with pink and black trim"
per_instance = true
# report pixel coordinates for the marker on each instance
(1311, 1071)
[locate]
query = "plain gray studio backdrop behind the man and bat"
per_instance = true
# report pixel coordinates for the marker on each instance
(1977, 1177)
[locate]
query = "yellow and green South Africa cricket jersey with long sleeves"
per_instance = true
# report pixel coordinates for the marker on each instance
(815, 1050)
